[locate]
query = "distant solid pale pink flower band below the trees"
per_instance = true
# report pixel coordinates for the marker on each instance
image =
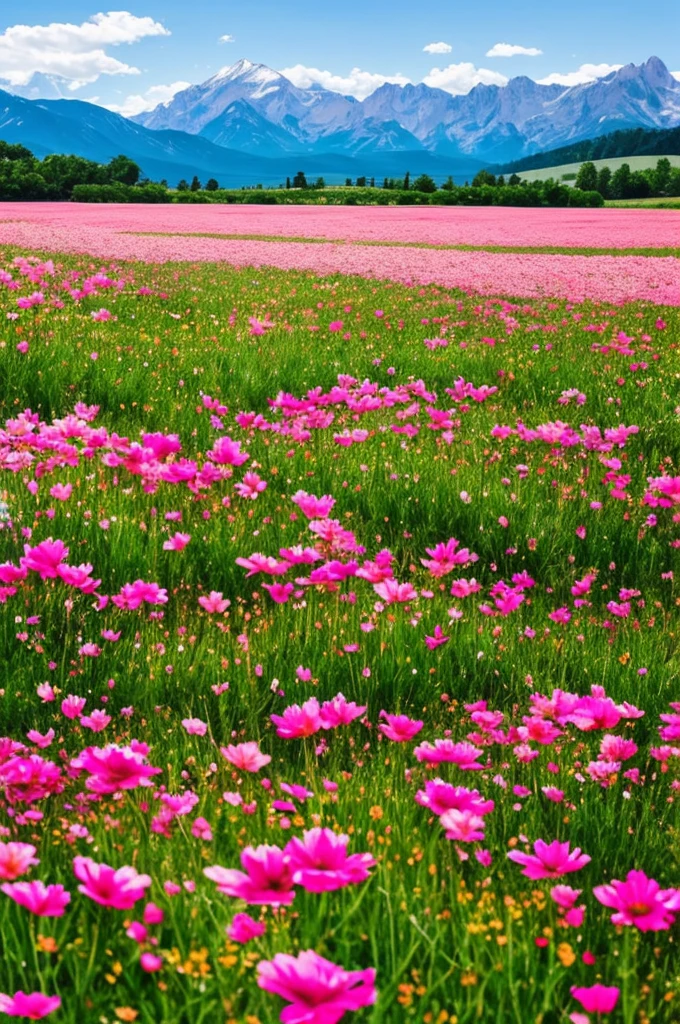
(572, 254)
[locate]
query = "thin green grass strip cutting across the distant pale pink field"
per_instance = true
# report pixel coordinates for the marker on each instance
(523, 250)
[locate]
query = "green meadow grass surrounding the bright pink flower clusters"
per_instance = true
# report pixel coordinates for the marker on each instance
(450, 940)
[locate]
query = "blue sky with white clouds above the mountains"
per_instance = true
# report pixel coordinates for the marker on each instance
(133, 60)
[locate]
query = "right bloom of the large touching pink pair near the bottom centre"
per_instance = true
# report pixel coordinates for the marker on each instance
(320, 862)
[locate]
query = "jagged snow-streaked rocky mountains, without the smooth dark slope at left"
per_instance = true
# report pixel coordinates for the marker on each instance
(492, 123)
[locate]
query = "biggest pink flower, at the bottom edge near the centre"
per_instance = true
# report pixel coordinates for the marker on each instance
(318, 991)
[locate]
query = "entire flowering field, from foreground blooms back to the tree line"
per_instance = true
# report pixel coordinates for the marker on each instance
(339, 618)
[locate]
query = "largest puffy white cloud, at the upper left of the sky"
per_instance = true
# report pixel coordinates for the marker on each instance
(75, 52)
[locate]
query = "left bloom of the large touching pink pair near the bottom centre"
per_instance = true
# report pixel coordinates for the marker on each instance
(267, 879)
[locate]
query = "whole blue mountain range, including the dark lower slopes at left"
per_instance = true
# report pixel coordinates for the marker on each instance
(250, 124)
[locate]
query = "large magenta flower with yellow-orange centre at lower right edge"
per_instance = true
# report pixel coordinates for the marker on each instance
(641, 902)
